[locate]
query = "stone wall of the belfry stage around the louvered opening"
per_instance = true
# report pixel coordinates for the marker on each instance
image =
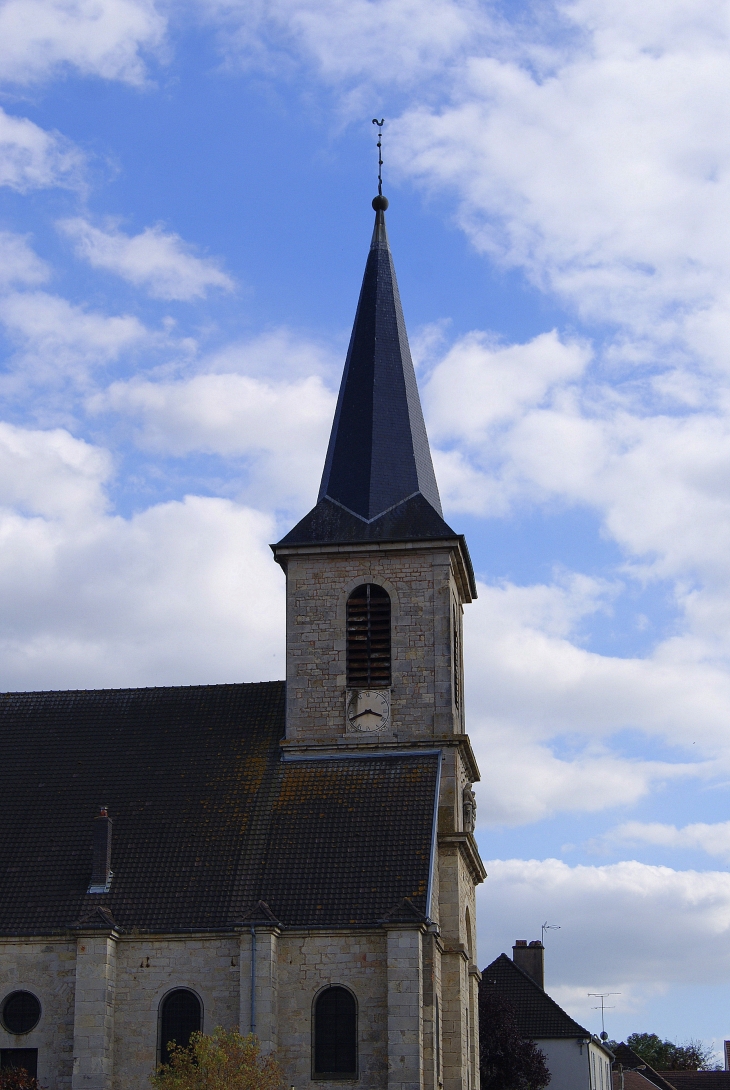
(423, 592)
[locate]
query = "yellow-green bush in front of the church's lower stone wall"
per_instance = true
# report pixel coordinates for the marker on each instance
(223, 1061)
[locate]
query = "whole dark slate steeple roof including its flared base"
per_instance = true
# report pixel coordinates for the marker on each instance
(379, 482)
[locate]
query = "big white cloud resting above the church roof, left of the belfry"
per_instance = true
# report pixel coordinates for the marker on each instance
(180, 594)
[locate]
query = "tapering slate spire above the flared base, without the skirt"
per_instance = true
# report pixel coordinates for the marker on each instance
(379, 452)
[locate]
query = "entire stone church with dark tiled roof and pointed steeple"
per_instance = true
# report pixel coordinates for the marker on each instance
(294, 859)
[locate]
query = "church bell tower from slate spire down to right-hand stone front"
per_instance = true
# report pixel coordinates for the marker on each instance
(376, 586)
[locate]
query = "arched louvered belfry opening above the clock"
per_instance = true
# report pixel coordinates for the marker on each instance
(369, 638)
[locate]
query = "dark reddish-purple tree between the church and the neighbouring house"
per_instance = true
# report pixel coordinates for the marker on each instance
(507, 1060)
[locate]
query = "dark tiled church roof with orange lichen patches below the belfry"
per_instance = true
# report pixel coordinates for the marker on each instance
(208, 818)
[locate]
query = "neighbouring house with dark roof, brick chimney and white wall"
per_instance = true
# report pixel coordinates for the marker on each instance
(576, 1059)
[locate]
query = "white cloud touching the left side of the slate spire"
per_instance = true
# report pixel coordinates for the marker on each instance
(281, 428)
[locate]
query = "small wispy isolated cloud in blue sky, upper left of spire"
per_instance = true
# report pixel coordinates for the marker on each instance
(153, 260)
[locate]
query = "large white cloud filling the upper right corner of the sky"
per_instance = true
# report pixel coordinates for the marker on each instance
(601, 166)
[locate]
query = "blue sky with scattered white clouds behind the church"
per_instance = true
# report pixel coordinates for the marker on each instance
(185, 221)
